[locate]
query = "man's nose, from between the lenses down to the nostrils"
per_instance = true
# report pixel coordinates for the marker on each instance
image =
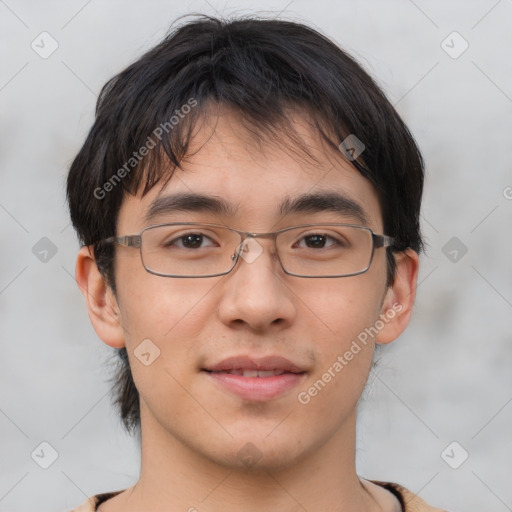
(256, 293)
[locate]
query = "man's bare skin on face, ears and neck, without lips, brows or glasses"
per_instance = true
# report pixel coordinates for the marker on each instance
(192, 430)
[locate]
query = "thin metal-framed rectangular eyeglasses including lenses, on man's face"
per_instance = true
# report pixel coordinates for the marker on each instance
(191, 249)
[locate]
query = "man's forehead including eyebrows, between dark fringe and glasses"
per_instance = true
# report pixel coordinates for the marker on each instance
(256, 184)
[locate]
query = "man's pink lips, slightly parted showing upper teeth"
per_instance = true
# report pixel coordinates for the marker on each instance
(255, 379)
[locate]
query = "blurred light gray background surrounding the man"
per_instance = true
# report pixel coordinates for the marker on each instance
(448, 378)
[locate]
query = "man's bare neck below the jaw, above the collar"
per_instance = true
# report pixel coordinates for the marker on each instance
(176, 477)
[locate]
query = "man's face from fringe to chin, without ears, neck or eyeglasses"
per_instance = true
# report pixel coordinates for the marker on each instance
(256, 312)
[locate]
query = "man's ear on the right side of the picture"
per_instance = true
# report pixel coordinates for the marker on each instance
(398, 301)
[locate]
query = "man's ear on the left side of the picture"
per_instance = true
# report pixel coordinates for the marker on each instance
(100, 300)
